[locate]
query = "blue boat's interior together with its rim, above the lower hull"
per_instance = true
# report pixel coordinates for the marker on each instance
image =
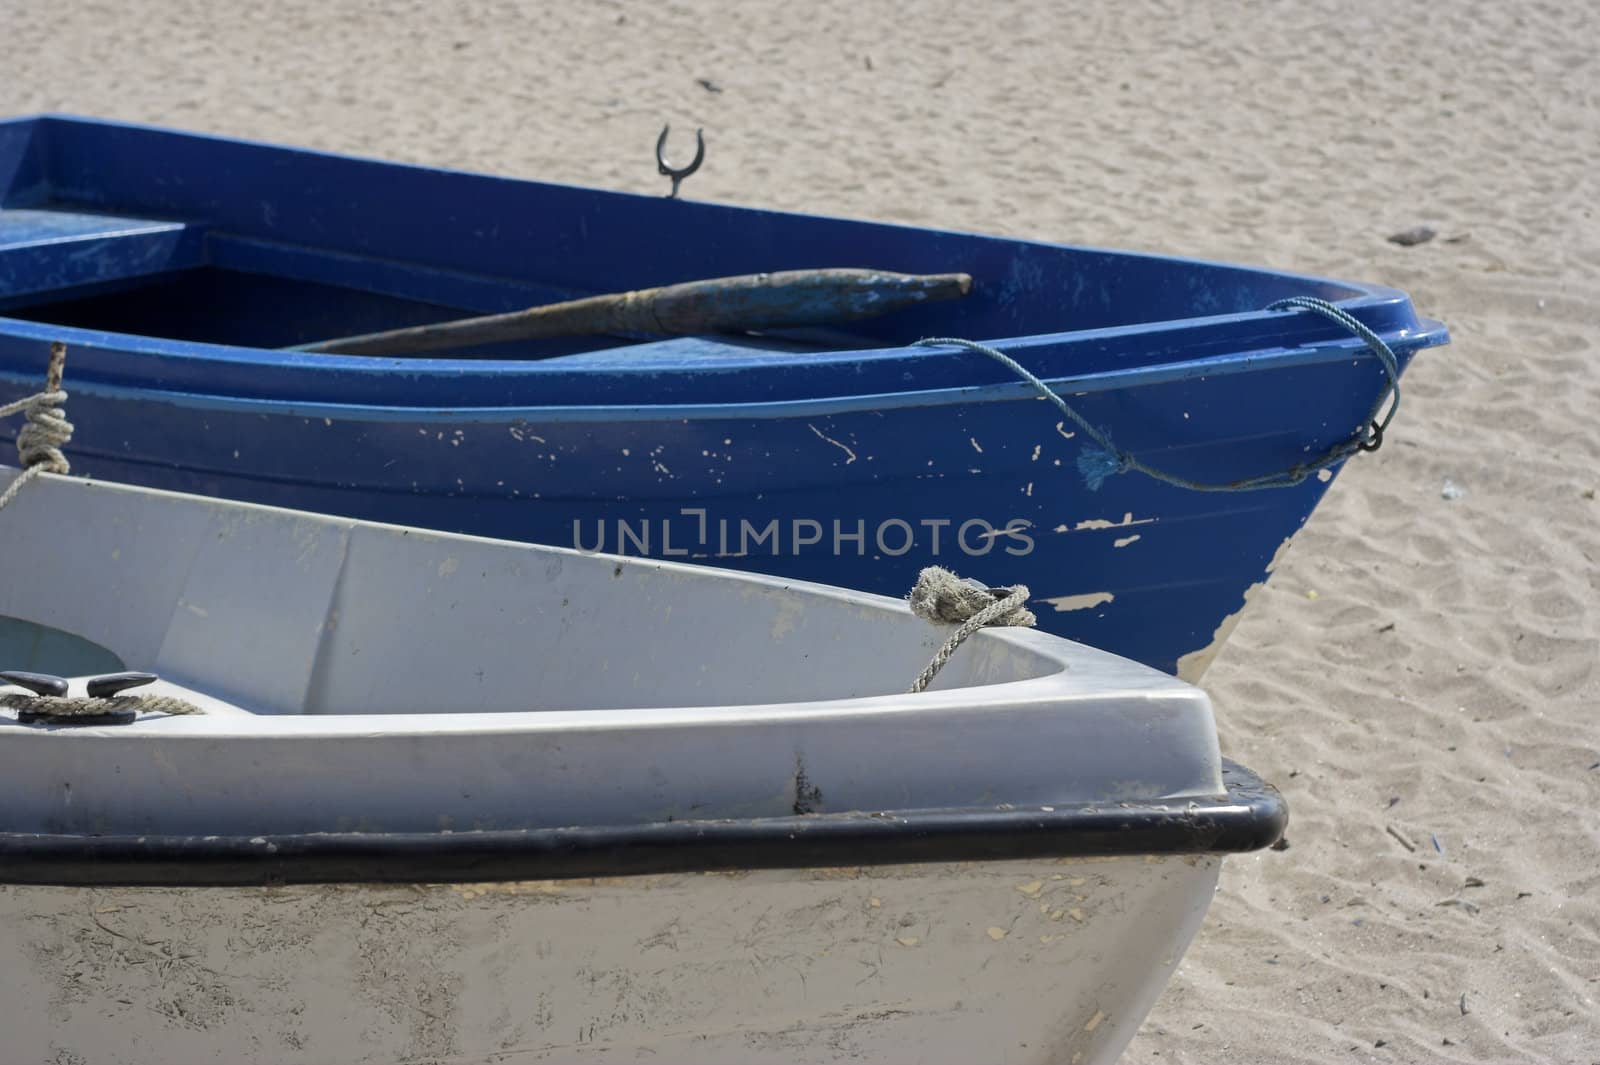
(217, 250)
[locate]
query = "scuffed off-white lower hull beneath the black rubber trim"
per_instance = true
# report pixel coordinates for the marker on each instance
(977, 962)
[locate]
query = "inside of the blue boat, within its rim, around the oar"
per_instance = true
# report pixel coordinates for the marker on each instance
(217, 242)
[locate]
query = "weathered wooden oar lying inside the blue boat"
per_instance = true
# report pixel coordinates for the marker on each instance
(788, 300)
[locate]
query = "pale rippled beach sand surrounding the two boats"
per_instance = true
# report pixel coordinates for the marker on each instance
(1420, 661)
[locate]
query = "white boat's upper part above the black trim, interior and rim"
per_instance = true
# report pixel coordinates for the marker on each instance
(382, 677)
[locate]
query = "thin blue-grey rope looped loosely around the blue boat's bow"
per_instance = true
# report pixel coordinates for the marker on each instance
(1105, 460)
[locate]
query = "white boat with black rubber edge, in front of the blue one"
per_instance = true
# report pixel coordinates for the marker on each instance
(462, 800)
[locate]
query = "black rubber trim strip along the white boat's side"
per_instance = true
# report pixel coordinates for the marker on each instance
(1249, 818)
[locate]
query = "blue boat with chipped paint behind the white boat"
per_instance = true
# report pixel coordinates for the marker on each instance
(178, 269)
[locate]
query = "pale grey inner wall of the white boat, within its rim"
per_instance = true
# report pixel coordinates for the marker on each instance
(289, 613)
